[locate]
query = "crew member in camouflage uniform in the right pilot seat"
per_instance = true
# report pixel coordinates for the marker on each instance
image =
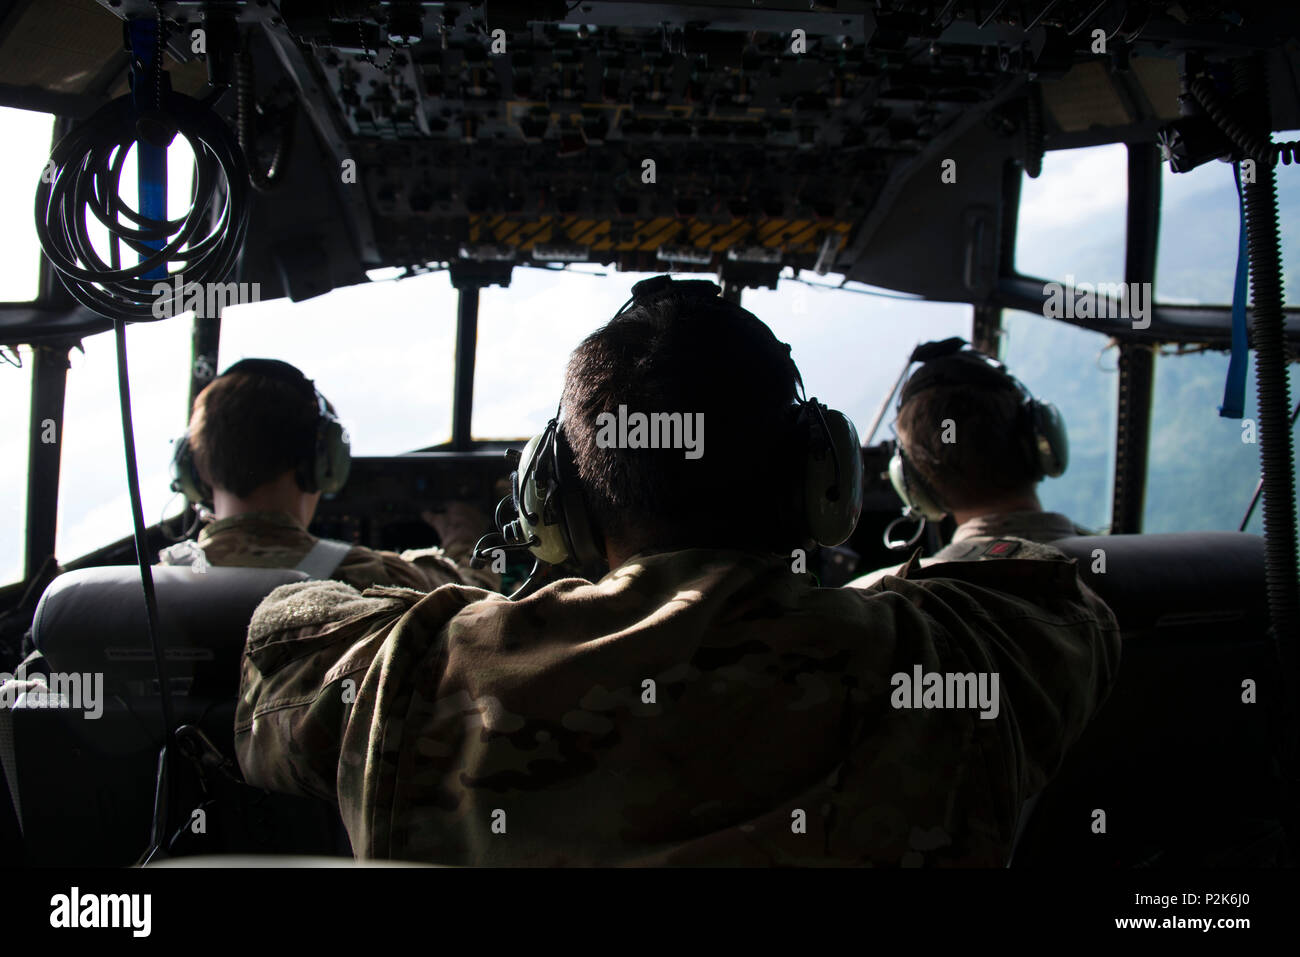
(987, 479)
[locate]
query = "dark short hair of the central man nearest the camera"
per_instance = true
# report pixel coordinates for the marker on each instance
(691, 356)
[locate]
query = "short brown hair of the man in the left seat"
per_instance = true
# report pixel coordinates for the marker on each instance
(248, 430)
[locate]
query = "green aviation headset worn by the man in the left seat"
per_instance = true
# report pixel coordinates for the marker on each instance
(332, 457)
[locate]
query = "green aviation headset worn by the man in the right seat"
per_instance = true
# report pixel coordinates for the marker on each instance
(951, 362)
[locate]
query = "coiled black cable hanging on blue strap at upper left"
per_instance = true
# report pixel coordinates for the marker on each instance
(85, 179)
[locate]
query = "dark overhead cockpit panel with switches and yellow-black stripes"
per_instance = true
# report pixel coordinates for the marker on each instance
(690, 135)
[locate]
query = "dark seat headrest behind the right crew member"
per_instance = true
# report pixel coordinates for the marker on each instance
(1165, 581)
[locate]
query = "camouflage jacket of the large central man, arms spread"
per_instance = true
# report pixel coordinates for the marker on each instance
(695, 708)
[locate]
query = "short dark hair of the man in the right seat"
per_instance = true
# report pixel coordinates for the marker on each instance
(991, 457)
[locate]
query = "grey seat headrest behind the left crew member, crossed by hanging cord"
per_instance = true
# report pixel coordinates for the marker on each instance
(94, 621)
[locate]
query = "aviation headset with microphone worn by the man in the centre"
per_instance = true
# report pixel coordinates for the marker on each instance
(547, 514)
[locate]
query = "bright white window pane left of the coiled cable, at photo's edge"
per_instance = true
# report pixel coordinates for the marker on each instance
(27, 149)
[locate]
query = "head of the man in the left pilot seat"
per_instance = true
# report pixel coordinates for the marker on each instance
(254, 435)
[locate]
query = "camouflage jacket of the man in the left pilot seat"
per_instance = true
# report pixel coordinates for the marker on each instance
(276, 540)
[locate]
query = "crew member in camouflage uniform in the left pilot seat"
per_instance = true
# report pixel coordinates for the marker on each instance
(249, 436)
